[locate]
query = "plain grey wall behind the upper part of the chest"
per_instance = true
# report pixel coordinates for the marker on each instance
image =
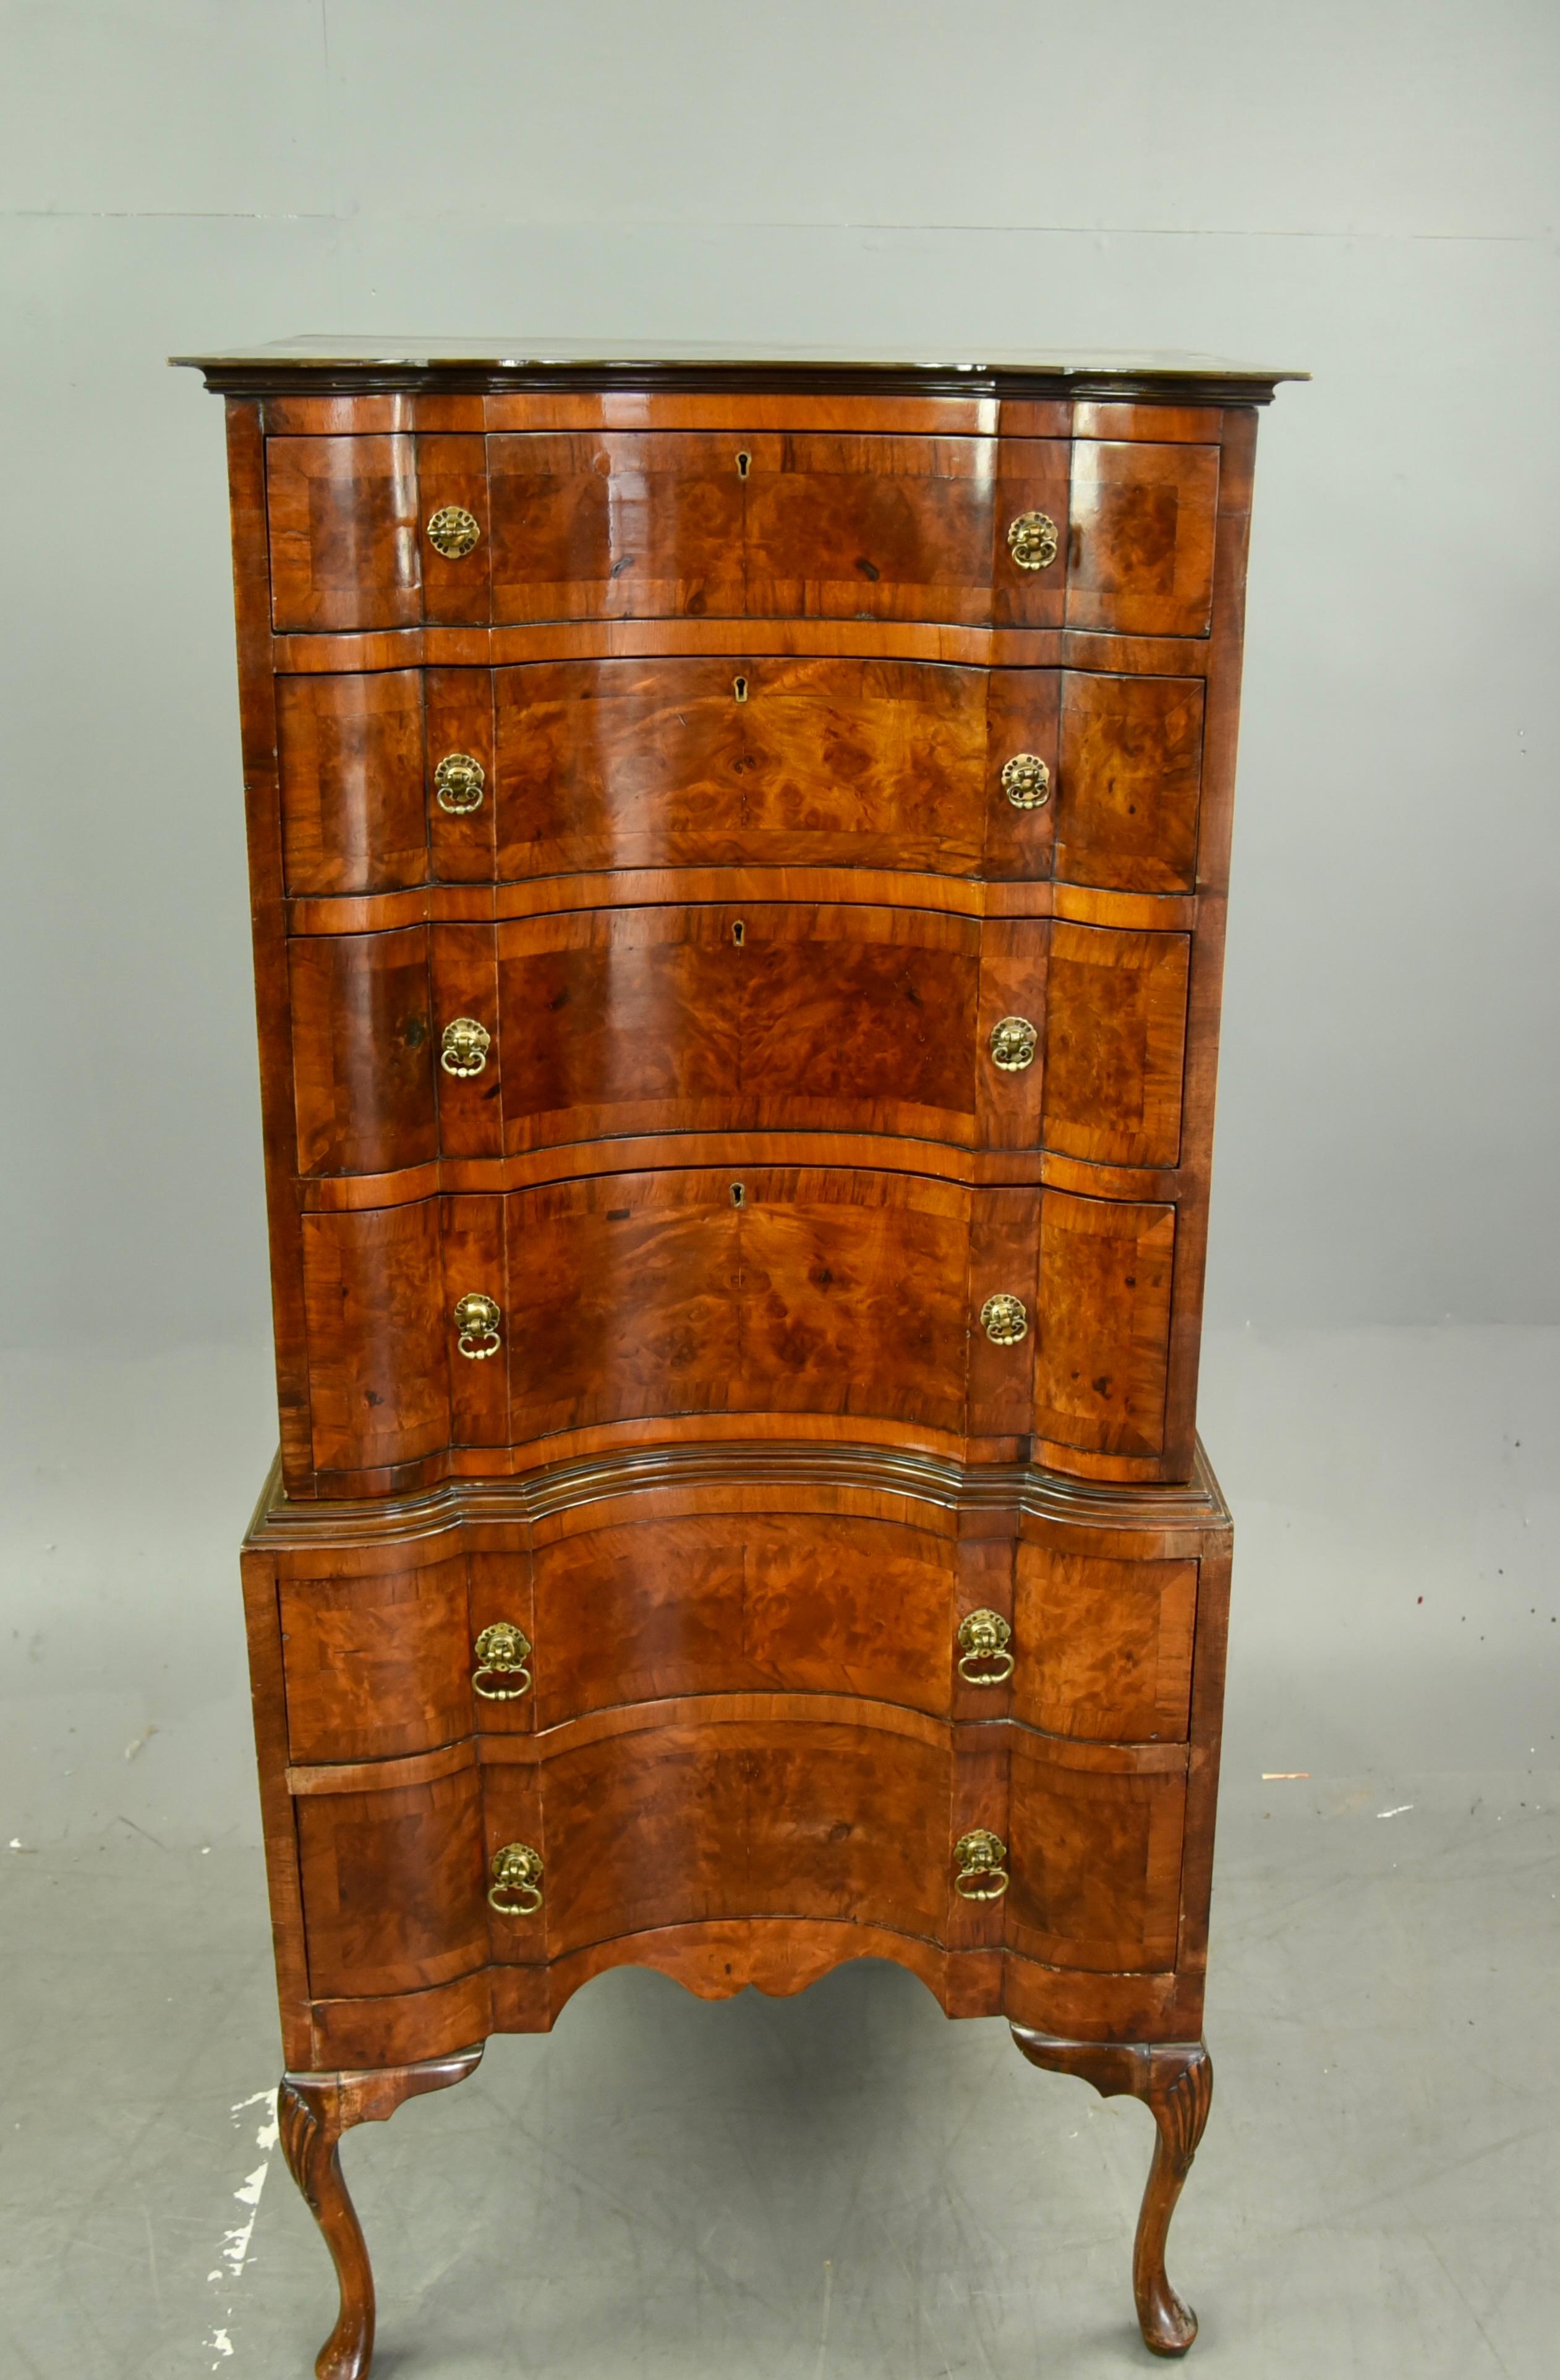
(1366, 189)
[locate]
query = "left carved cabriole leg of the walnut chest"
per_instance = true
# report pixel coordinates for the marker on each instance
(313, 2115)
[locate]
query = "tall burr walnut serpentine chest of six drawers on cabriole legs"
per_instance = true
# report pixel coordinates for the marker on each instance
(740, 863)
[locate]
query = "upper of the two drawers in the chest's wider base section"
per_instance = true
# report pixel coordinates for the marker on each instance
(380, 1648)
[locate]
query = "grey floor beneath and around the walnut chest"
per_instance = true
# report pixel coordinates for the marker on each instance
(842, 2184)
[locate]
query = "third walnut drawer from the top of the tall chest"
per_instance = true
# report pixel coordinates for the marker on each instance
(730, 1020)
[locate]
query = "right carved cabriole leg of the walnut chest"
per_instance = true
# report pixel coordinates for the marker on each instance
(1175, 2081)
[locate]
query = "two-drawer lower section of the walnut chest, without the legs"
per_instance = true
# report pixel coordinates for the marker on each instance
(649, 1734)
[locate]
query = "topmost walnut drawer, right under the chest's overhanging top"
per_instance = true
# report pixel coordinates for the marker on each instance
(389, 532)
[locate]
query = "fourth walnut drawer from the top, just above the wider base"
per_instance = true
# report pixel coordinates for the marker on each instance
(654, 1296)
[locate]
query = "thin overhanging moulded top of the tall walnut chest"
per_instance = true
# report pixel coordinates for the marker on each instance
(335, 363)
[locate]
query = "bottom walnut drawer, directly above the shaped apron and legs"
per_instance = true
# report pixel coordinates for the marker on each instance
(647, 1820)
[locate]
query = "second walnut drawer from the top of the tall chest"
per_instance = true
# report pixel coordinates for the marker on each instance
(740, 760)
